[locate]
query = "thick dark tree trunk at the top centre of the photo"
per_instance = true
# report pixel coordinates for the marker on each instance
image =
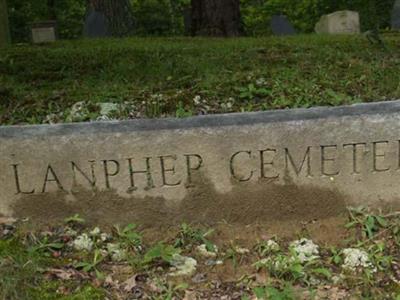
(216, 17)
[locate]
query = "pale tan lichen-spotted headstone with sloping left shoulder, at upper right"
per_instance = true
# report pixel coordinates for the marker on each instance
(340, 22)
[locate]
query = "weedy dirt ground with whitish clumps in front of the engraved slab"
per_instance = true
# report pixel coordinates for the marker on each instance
(75, 260)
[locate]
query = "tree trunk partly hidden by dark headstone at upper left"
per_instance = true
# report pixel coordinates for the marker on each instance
(118, 13)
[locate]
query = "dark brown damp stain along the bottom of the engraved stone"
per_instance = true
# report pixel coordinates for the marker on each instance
(248, 203)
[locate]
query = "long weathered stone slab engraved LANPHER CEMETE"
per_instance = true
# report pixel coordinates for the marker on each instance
(244, 168)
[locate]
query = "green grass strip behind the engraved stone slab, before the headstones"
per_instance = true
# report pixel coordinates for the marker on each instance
(157, 77)
